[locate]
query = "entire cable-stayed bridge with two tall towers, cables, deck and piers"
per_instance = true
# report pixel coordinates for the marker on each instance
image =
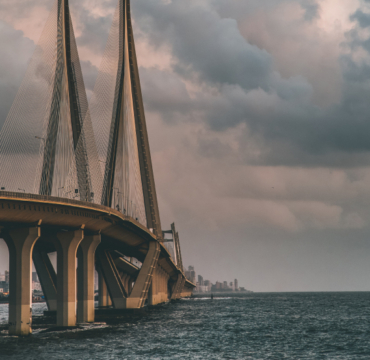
(77, 179)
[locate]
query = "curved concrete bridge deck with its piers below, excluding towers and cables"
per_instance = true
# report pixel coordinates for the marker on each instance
(134, 268)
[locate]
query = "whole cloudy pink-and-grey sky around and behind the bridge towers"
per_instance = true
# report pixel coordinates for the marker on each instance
(259, 123)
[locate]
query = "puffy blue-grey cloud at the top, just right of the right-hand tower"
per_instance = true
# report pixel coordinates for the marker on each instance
(205, 44)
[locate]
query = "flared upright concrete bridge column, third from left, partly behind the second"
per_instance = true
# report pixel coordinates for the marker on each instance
(85, 278)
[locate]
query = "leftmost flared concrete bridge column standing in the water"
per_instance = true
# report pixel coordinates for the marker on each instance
(20, 244)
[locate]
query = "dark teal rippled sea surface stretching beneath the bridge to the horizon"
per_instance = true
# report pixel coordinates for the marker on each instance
(249, 326)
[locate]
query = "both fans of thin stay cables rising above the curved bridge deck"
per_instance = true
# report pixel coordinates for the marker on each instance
(53, 143)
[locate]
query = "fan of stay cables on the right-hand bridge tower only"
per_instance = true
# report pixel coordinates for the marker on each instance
(113, 120)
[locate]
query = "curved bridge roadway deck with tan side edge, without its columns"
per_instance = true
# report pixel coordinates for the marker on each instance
(18, 209)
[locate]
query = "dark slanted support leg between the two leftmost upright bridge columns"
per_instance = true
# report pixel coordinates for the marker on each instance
(47, 276)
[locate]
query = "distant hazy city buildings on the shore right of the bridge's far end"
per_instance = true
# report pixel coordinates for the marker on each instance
(205, 286)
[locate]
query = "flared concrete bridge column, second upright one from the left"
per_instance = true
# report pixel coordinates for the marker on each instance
(67, 244)
